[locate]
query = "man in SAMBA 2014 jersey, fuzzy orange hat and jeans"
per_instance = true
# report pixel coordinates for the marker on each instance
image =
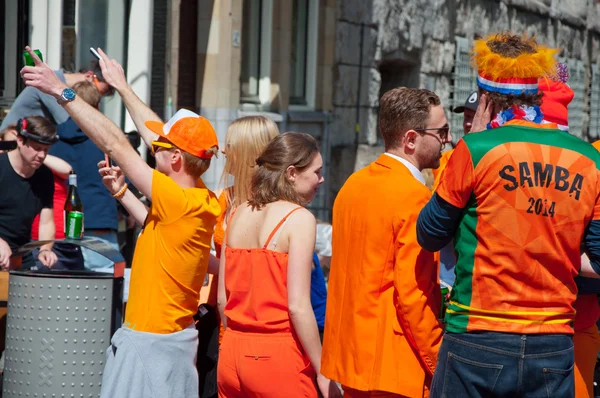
(519, 198)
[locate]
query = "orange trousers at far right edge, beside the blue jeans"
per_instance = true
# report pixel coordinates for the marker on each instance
(586, 343)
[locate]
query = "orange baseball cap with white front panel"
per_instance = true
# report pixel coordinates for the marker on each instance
(189, 132)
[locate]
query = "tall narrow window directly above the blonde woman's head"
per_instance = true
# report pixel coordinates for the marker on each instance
(256, 51)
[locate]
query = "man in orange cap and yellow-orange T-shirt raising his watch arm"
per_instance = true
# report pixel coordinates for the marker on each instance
(154, 353)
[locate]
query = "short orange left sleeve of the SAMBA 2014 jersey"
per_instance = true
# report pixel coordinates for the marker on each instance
(457, 179)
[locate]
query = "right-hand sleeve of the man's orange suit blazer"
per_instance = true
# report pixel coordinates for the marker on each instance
(418, 295)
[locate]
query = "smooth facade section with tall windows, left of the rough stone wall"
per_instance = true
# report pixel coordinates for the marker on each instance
(220, 58)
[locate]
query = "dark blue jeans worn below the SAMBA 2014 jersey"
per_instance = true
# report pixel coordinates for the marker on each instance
(490, 364)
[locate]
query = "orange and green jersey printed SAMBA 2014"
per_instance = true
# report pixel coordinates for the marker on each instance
(527, 191)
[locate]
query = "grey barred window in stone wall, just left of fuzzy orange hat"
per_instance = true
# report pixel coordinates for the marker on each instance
(465, 83)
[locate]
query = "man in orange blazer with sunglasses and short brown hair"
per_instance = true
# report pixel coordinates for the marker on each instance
(382, 333)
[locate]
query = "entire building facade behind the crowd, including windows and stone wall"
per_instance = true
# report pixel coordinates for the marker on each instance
(317, 66)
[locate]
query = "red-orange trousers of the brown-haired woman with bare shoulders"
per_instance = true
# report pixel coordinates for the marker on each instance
(263, 366)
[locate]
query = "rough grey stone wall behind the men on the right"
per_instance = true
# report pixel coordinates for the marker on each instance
(413, 43)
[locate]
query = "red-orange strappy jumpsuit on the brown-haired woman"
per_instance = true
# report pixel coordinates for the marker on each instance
(260, 354)
